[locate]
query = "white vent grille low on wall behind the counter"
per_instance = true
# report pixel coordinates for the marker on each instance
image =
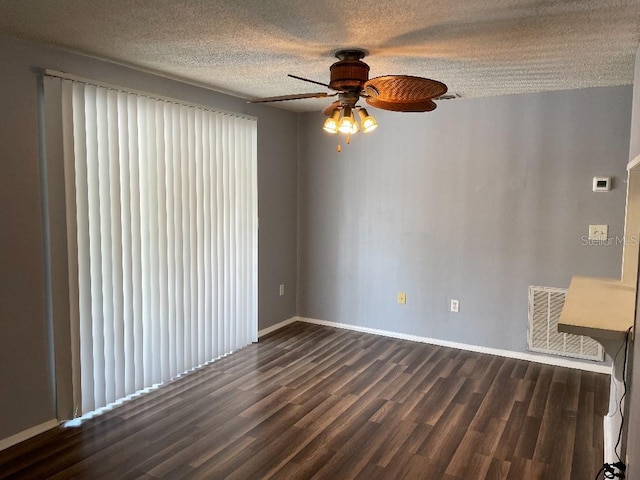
(545, 305)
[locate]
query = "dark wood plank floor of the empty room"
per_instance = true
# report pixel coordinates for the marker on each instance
(317, 402)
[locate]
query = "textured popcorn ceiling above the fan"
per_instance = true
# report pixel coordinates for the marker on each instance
(247, 47)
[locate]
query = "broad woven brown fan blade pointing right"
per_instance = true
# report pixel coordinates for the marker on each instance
(403, 93)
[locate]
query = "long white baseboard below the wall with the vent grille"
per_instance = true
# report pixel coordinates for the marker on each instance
(548, 360)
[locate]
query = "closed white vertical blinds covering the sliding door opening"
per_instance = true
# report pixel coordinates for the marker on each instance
(163, 198)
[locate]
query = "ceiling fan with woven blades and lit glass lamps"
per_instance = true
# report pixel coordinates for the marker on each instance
(350, 81)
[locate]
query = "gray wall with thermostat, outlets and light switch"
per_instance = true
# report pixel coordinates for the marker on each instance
(476, 201)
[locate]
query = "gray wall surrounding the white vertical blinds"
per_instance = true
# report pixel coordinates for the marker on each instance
(26, 392)
